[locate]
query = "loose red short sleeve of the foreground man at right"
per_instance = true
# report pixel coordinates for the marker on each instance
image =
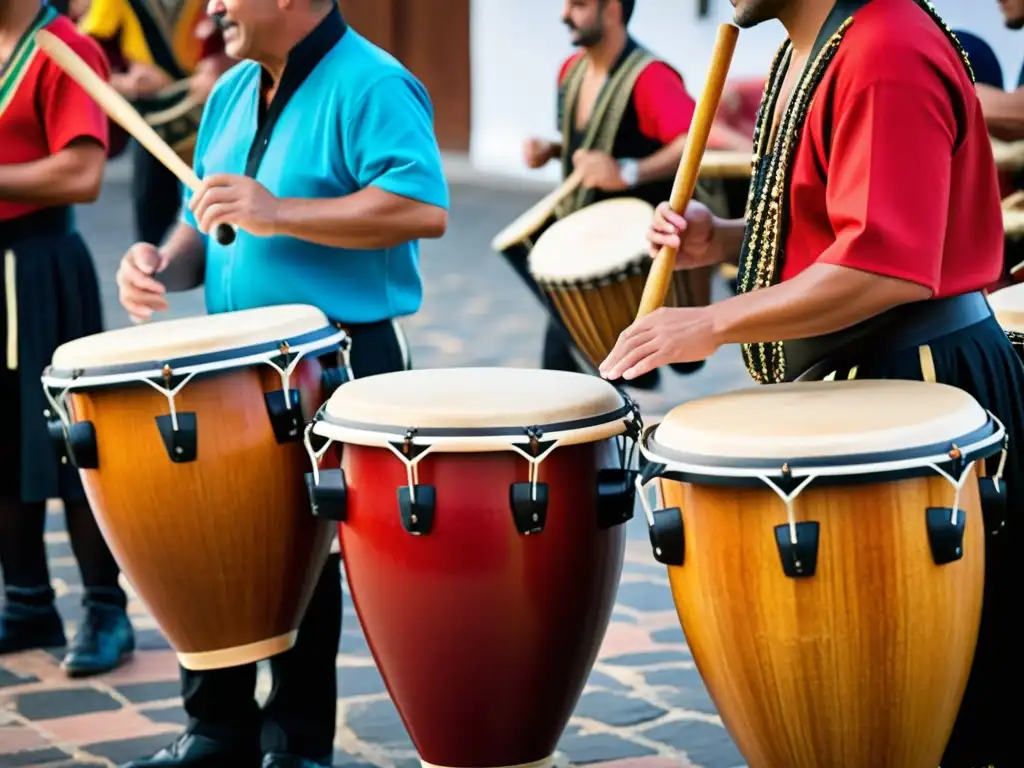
(888, 178)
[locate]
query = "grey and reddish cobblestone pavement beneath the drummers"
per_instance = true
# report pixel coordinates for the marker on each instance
(645, 706)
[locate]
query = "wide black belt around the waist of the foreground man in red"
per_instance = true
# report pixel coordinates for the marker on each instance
(901, 328)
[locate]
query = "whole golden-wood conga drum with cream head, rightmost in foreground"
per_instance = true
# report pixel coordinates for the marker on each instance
(825, 545)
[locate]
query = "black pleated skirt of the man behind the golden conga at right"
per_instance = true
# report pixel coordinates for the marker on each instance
(982, 361)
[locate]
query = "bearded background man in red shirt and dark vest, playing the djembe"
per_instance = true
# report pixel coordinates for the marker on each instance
(623, 116)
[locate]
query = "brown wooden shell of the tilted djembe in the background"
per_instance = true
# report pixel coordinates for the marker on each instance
(596, 312)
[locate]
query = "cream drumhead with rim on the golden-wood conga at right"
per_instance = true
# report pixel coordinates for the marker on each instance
(829, 428)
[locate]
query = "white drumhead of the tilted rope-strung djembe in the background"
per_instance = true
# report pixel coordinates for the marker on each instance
(599, 241)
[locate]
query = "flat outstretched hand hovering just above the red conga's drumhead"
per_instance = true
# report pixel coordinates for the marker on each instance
(665, 336)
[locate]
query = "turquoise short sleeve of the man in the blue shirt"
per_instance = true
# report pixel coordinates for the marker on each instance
(392, 143)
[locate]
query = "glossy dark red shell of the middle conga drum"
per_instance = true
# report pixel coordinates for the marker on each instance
(485, 637)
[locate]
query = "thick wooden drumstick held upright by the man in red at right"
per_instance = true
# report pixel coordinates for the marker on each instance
(657, 287)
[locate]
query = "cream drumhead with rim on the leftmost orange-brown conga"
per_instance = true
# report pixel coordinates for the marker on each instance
(186, 345)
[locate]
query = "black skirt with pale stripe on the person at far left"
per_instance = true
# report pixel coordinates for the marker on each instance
(52, 296)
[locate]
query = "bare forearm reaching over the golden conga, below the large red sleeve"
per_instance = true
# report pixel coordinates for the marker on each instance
(823, 300)
